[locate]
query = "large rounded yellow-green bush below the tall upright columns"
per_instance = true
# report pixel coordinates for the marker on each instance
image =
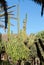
(16, 49)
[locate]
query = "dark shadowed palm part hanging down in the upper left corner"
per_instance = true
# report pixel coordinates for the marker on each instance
(3, 5)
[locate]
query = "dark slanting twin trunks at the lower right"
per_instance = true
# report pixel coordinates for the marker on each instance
(39, 52)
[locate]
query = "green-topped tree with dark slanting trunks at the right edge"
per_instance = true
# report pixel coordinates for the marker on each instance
(40, 46)
